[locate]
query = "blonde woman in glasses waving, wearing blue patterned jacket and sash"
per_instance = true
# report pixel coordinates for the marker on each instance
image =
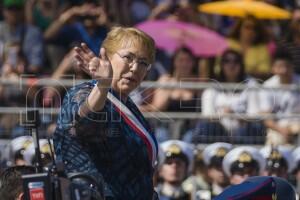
(100, 130)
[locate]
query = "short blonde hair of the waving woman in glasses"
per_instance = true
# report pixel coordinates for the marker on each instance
(120, 37)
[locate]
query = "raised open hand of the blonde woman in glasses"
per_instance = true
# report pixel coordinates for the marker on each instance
(97, 67)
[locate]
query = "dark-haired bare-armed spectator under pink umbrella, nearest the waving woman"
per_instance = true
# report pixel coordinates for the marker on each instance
(183, 68)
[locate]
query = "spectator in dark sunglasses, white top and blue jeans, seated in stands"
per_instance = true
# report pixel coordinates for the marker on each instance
(220, 101)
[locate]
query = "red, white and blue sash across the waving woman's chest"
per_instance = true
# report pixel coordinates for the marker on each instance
(137, 126)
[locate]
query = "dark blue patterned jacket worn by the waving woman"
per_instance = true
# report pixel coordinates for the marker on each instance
(104, 146)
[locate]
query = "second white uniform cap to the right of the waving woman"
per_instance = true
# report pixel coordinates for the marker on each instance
(215, 149)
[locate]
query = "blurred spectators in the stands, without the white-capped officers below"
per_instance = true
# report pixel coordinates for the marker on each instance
(37, 38)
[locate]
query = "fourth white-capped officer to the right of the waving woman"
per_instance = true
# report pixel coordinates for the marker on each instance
(279, 161)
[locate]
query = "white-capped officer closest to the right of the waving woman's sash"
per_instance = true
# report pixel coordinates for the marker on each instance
(174, 169)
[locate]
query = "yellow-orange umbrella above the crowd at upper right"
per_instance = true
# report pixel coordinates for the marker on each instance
(242, 8)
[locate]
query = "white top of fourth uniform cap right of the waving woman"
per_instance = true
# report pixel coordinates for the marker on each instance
(286, 153)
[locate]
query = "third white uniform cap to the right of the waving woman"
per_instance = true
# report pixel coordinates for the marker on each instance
(235, 153)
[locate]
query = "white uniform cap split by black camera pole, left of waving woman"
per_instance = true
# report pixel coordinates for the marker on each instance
(30, 151)
